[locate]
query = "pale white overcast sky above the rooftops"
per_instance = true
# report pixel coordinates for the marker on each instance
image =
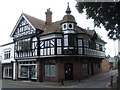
(10, 11)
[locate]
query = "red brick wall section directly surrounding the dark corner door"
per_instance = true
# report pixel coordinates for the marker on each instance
(76, 67)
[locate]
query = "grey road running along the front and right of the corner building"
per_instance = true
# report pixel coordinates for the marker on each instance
(97, 81)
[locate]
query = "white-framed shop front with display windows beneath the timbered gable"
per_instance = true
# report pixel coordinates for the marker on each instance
(27, 70)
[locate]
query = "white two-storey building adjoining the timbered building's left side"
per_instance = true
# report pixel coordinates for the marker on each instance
(8, 61)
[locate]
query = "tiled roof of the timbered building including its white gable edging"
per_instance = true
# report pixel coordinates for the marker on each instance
(51, 28)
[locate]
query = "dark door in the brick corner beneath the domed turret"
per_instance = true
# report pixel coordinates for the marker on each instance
(68, 71)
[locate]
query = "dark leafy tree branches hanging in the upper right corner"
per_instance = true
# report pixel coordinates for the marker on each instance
(105, 14)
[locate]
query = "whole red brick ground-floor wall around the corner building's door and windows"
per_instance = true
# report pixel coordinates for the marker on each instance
(77, 68)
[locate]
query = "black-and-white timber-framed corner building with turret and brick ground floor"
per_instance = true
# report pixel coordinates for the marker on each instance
(50, 51)
